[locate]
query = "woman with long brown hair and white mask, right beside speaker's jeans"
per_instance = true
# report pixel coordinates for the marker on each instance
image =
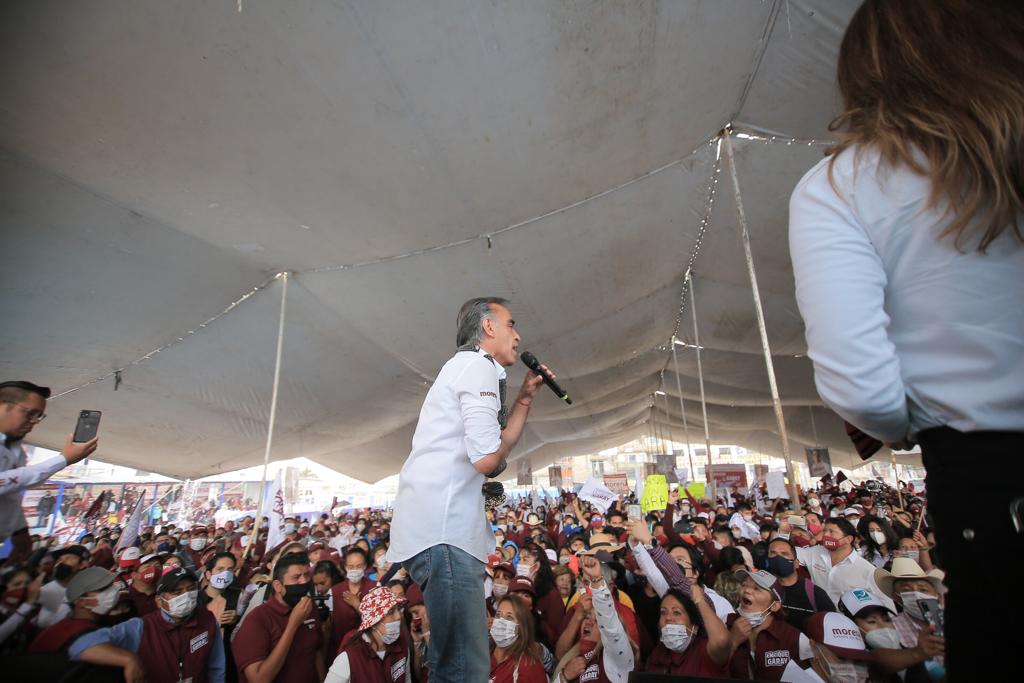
(516, 655)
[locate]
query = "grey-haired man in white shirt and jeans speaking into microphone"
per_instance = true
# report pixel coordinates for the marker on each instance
(440, 531)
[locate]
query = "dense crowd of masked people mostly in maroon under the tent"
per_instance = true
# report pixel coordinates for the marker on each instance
(847, 584)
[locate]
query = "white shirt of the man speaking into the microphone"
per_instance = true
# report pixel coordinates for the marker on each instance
(440, 498)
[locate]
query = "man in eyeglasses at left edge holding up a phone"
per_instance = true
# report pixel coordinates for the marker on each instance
(22, 408)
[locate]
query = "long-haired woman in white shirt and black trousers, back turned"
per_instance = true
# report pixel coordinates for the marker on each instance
(909, 259)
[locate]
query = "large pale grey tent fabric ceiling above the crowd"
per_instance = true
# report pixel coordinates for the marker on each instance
(158, 164)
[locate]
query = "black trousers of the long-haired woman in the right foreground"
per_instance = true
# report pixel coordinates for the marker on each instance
(972, 481)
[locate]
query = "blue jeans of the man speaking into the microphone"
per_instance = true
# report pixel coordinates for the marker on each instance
(452, 581)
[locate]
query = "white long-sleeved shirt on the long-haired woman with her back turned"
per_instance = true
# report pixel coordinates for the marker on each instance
(906, 332)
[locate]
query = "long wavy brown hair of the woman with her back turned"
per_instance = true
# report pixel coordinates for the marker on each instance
(937, 87)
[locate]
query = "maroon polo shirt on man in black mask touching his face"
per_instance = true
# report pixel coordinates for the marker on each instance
(261, 633)
